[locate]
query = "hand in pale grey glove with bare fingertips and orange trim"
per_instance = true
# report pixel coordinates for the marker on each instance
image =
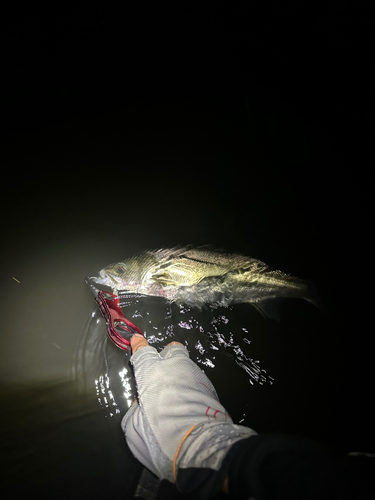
(178, 429)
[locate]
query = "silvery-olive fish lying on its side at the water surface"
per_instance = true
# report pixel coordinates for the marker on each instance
(199, 276)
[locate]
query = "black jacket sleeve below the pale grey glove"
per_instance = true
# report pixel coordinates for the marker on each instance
(278, 466)
